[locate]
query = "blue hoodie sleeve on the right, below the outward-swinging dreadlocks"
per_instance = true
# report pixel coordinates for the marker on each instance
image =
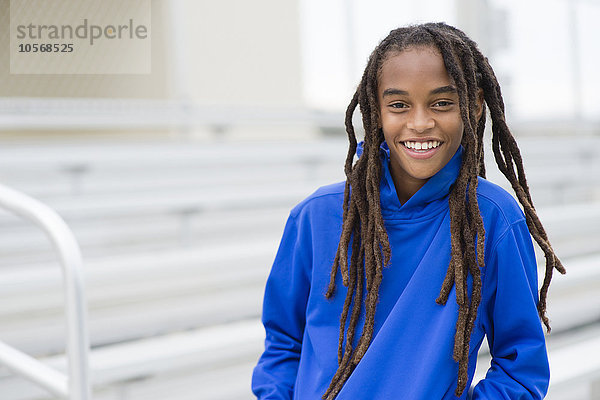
(519, 368)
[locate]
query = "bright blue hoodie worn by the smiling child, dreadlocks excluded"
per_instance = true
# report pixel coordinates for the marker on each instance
(410, 356)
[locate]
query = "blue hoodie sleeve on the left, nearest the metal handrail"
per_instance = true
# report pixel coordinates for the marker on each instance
(283, 316)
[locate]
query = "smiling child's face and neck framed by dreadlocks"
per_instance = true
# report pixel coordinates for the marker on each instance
(419, 115)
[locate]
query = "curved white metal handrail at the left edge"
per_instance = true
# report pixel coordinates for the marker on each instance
(76, 385)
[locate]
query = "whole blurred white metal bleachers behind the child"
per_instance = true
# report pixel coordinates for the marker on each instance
(178, 238)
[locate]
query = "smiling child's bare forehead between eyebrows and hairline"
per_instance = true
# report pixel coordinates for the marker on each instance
(412, 68)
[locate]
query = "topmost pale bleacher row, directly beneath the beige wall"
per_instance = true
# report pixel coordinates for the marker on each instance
(67, 114)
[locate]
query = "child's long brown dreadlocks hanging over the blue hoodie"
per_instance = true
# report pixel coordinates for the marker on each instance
(363, 226)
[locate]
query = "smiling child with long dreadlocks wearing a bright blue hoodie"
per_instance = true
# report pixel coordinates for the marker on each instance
(385, 285)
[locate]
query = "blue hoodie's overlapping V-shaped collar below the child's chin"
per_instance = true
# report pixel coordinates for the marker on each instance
(427, 201)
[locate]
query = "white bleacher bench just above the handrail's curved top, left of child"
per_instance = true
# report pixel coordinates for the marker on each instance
(100, 167)
